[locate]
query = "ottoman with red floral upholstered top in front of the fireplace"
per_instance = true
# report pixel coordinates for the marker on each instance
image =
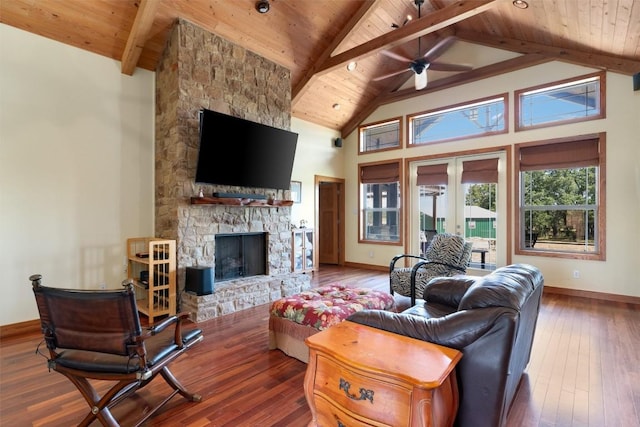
(294, 318)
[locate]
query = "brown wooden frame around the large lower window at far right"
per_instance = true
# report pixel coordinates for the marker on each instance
(599, 238)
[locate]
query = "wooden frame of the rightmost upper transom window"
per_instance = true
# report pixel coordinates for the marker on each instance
(517, 94)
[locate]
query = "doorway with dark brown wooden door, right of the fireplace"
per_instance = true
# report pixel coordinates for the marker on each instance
(329, 207)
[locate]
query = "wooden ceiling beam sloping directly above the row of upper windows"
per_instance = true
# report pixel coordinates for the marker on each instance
(502, 67)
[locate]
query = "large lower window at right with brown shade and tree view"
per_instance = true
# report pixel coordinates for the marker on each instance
(561, 193)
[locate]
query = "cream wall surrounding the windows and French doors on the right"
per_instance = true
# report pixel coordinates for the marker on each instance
(616, 275)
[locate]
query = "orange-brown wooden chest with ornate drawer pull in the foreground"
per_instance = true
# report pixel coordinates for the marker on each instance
(362, 376)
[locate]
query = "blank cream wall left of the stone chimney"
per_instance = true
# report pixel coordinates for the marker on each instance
(76, 167)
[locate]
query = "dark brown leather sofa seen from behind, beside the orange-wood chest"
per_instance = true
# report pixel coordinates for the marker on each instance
(490, 319)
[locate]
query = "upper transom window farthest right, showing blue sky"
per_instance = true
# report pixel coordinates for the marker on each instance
(568, 101)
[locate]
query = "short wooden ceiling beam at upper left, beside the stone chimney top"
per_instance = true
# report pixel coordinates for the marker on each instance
(138, 35)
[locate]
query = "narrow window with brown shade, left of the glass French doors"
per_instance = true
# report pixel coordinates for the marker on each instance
(380, 202)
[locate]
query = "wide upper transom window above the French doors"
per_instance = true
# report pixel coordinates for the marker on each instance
(477, 118)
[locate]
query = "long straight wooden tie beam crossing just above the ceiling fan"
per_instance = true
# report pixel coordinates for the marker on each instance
(433, 22)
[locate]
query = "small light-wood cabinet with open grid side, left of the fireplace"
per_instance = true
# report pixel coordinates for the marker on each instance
(152, 266)
